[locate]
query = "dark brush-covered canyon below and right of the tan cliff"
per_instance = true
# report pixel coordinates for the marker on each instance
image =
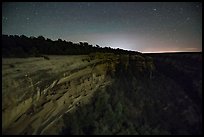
(169, 102)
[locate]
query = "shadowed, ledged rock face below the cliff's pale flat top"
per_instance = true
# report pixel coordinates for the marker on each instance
(74, 88)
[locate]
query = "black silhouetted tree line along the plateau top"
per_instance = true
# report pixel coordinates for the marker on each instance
(23, 46)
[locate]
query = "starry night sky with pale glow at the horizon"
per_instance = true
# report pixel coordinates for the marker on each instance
(144, 27)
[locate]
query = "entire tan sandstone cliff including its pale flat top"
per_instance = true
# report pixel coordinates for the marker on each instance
(41, 94)
